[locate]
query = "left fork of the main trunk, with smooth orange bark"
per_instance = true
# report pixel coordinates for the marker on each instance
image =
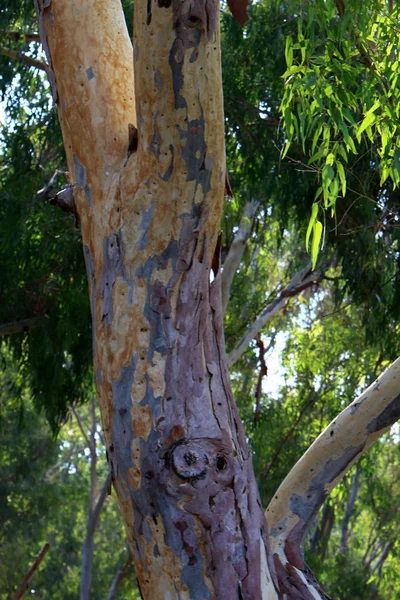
(93, 86)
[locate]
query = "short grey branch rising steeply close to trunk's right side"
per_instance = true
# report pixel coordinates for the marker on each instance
(236, 251)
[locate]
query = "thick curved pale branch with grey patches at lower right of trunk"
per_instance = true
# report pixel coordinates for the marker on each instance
(304, 490)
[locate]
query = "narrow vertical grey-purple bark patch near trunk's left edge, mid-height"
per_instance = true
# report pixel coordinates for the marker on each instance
(112, 260)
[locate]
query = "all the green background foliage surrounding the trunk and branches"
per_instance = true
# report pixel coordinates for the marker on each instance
(338, 135)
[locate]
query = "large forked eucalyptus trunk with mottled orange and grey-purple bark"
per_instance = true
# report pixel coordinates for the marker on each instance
(150, 220)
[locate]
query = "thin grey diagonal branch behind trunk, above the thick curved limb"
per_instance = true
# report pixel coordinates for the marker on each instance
(300, 281)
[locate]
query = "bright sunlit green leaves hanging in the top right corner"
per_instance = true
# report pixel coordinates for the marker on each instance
(341, 94)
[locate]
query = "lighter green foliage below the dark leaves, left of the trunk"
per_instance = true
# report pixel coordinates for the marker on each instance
(44, 489)
